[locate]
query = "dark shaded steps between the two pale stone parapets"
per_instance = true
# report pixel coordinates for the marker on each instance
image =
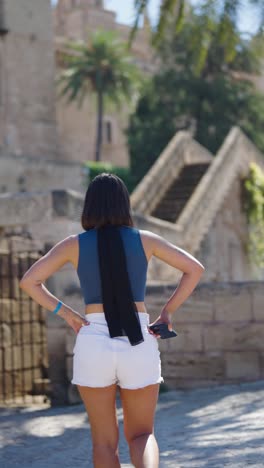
(179, 192)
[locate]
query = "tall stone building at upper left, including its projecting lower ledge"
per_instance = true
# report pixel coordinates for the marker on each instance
(29, 155)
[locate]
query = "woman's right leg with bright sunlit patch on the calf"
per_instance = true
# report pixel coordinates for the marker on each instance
(139, 411)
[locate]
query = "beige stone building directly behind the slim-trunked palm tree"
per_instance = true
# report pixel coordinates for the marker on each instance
(75, 20)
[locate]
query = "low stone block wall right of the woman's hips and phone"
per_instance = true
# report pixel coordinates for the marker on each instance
(220, 334)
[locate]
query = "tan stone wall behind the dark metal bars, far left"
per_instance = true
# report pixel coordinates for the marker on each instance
(23, 340)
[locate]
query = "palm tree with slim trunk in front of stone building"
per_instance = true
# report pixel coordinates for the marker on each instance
(101, 67)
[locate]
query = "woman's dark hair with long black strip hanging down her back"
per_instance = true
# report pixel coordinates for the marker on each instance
(106, 208)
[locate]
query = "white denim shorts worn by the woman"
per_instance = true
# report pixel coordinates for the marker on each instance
(99, 360)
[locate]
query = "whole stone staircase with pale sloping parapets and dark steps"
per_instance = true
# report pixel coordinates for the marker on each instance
(182, 192)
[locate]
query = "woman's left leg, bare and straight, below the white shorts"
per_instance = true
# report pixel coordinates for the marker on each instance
(100, 404)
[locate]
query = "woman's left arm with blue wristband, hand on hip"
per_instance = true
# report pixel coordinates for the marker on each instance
(33, 280)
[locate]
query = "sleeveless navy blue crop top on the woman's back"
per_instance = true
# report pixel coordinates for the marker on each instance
(88, 264)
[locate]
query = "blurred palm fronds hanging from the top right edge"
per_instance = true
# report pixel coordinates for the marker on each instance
(220, 13)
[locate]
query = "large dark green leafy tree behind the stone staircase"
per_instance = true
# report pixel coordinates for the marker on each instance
(208, 103)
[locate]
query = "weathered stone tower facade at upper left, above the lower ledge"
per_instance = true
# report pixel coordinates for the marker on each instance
(27, 104)
